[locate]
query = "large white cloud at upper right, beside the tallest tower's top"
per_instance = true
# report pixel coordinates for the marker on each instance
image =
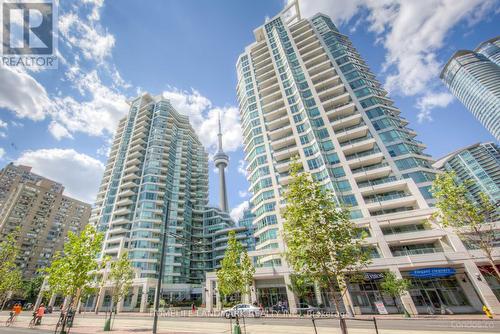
(412, 32)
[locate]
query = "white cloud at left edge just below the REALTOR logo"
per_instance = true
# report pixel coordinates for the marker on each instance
(22, 94)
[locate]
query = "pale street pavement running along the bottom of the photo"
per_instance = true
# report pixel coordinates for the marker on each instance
(128, 323)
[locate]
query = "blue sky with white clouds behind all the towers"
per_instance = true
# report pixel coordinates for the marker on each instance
(61, 121)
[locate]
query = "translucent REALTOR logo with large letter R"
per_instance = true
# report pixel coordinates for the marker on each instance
(29, 36)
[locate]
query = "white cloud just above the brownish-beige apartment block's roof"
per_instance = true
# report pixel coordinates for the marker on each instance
(78, 172)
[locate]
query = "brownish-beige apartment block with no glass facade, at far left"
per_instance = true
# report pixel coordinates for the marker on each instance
(43, 214)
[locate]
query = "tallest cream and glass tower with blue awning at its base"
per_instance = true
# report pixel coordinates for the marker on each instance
(304, 91)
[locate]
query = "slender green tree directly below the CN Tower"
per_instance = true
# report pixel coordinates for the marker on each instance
(236, 272)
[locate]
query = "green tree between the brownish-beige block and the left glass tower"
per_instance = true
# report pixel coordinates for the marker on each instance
(72, 270)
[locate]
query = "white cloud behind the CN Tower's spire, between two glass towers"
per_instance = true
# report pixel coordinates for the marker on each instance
(204, 118)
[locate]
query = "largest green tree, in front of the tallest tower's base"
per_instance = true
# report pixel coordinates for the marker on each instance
(322, 244)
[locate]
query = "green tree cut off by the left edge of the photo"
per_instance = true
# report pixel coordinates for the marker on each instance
(10, 275)
